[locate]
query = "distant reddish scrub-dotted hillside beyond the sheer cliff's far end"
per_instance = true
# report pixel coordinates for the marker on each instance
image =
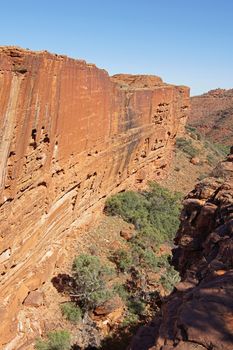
(212, 114)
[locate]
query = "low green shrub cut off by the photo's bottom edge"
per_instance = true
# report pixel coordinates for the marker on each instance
(57, 340)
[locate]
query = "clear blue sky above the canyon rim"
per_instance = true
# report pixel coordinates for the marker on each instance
(188, 42)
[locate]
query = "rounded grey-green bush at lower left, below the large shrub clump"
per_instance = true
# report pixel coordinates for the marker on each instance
(90, 281)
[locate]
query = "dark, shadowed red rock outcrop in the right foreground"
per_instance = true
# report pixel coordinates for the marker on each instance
(199, 313)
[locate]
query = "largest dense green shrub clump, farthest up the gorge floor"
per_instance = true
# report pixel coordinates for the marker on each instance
(155, 213)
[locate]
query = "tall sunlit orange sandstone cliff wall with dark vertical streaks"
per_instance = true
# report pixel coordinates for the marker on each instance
(69, 136)
